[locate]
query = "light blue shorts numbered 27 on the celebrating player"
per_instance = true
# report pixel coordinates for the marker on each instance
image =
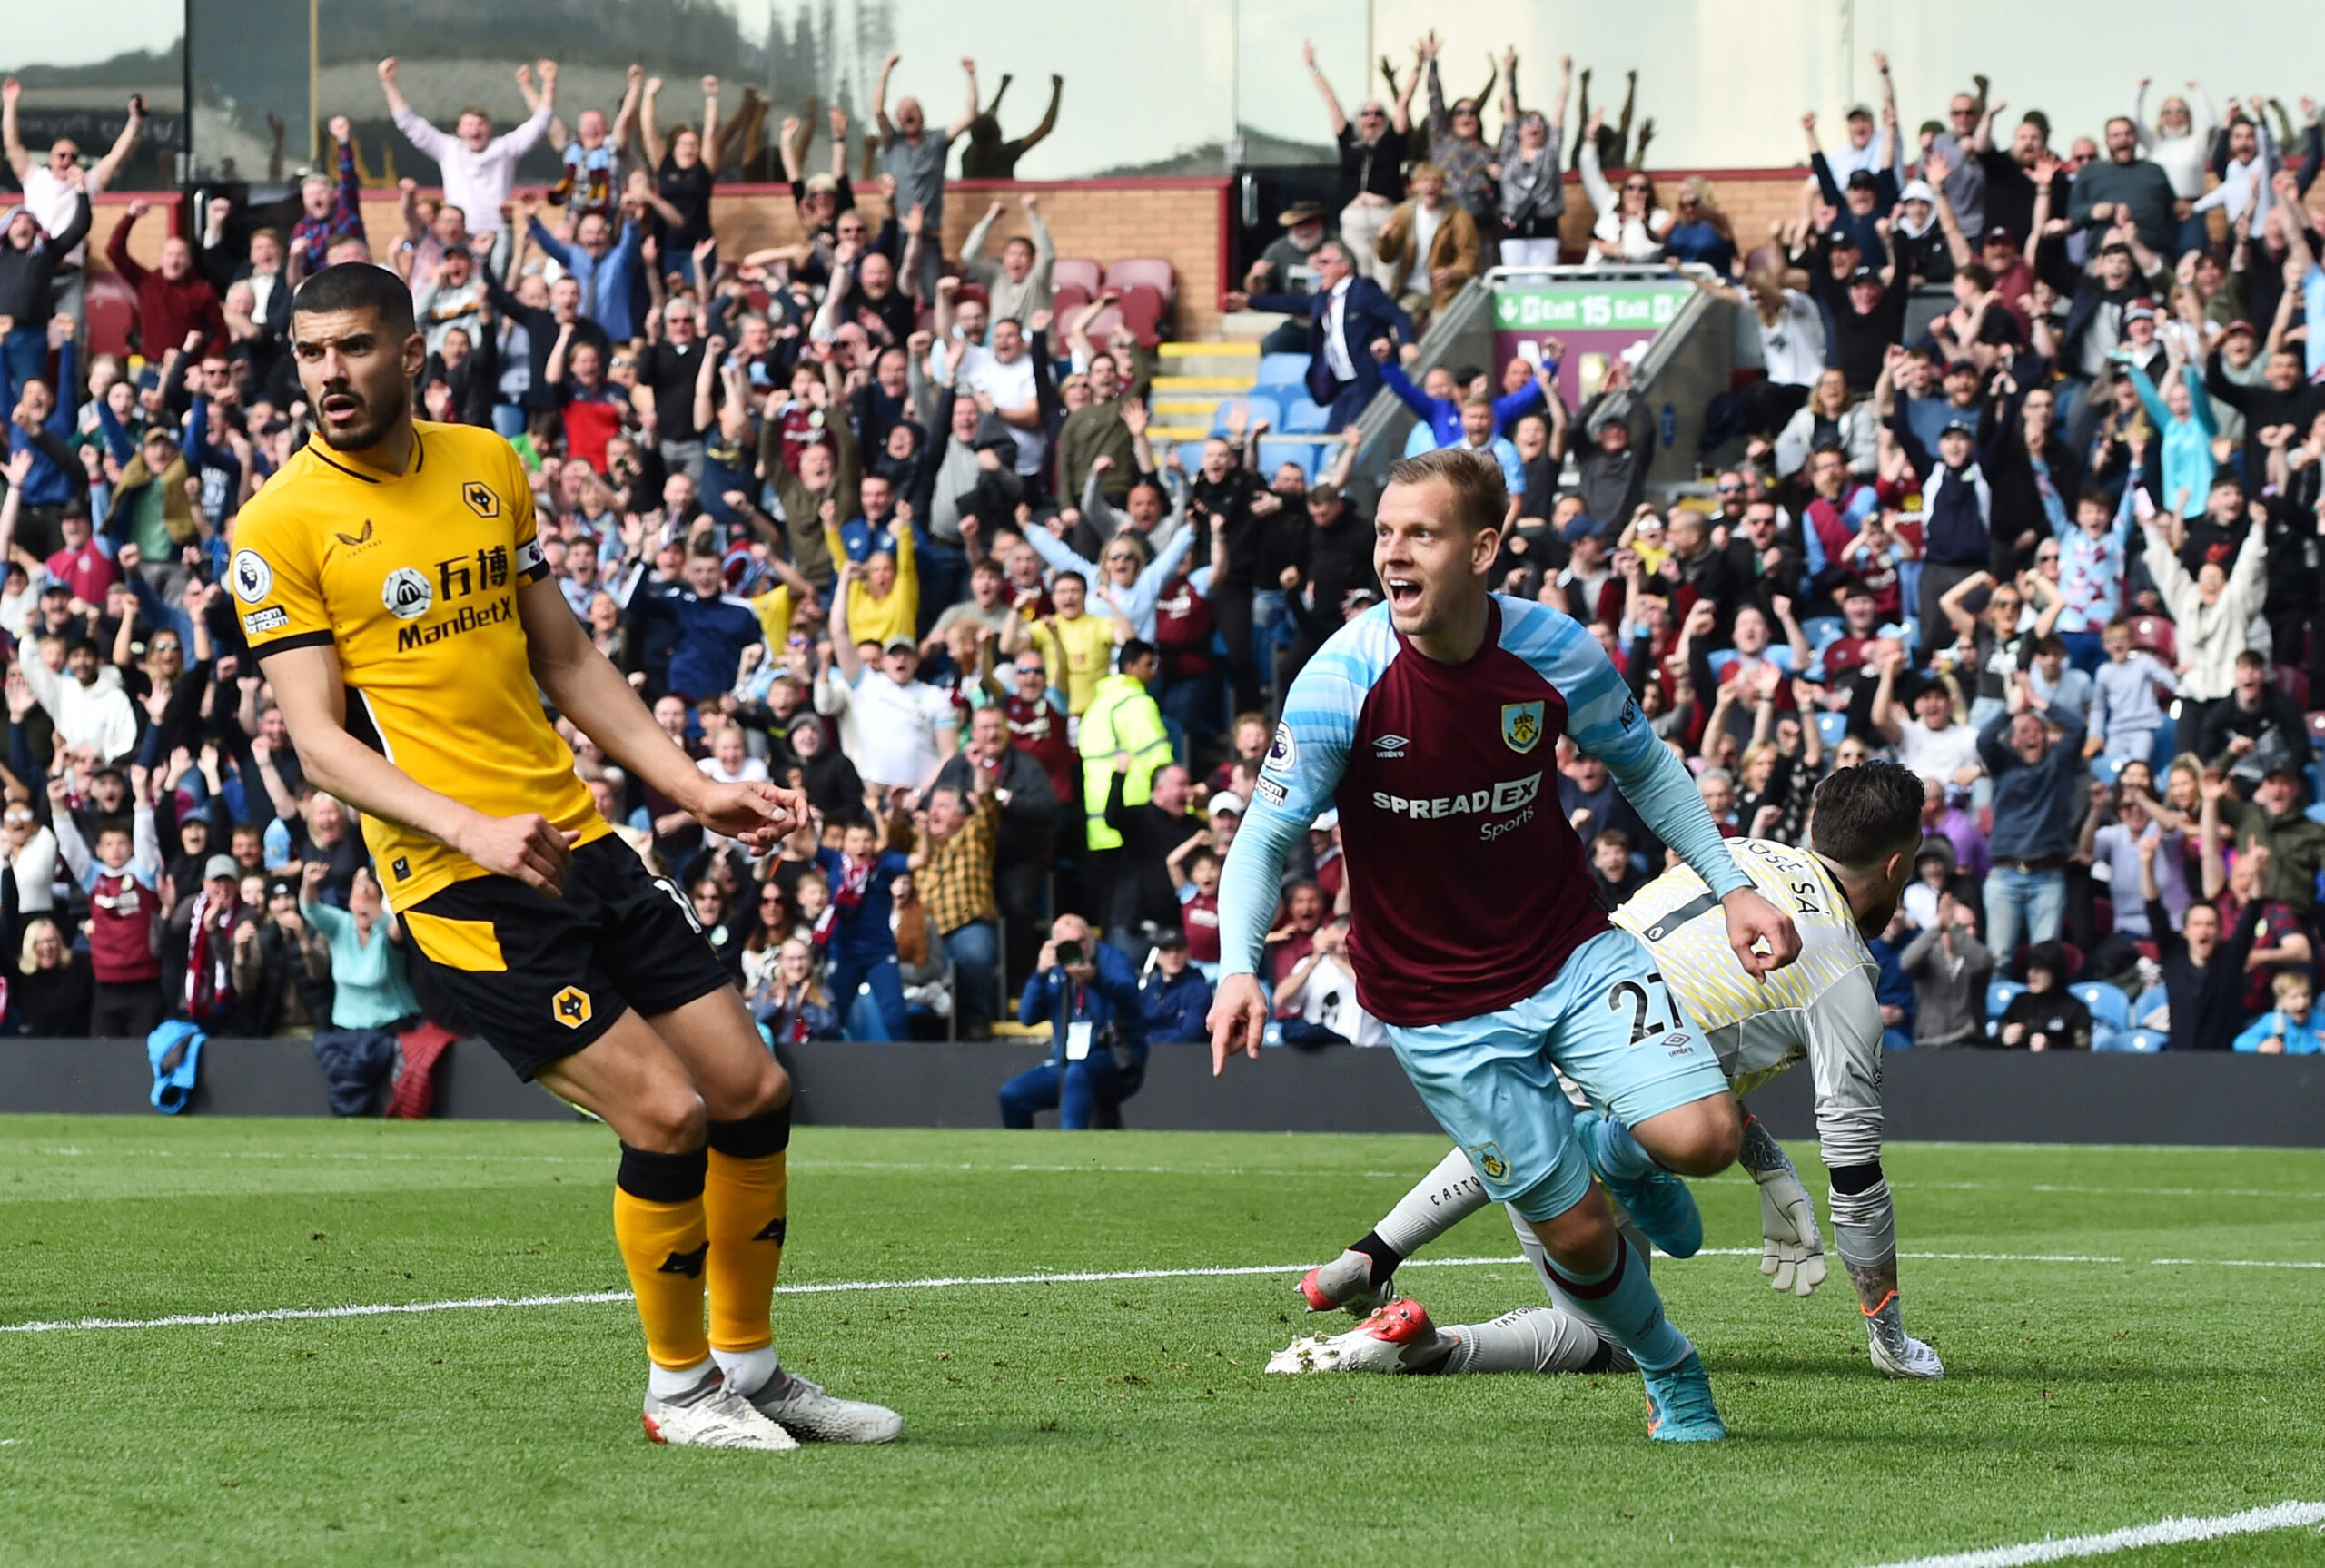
(1608, 1021)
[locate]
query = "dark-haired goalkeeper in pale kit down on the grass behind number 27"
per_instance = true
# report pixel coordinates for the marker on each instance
(1863, 835)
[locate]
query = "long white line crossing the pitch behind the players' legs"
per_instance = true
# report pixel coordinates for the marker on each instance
(954, 1281)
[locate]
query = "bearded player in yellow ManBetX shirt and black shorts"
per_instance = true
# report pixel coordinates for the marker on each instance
(392, 584)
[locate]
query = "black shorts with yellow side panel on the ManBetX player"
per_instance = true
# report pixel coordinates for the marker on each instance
(543, 977)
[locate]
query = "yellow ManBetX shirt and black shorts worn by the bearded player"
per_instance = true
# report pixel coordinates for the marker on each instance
(413, 577)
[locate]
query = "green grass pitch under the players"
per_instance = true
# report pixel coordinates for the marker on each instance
(1113, 1420)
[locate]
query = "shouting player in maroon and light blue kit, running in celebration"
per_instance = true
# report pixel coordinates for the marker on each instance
(1480, 942)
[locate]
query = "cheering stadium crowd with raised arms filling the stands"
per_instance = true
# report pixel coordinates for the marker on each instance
(887, 524)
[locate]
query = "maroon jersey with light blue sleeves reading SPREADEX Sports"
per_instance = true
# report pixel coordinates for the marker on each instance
(1468, 886)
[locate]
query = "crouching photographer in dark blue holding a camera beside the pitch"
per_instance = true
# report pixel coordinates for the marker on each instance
(1089, 995)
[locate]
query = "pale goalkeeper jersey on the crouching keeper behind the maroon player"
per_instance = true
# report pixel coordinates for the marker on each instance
(1822, 1007)
